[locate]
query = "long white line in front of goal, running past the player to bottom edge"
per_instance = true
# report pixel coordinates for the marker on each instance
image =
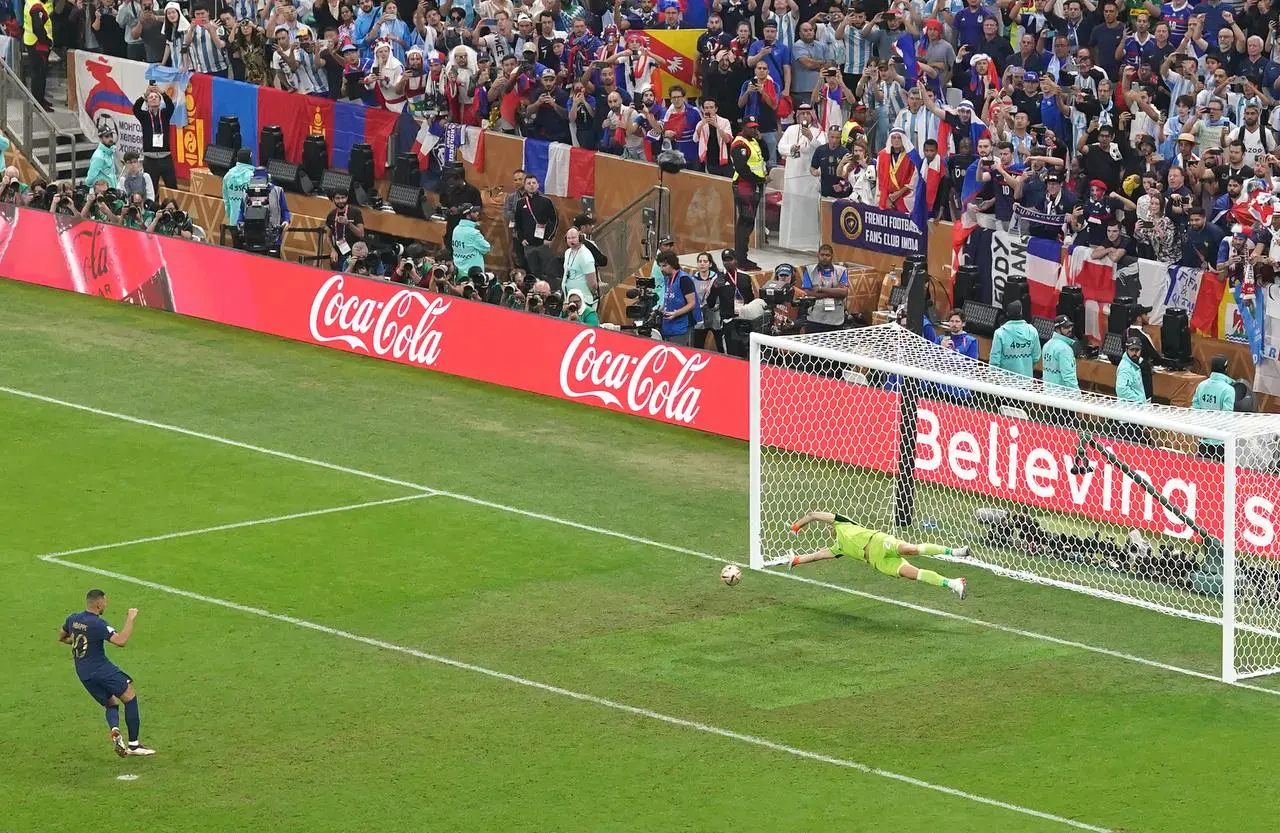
(584, 698)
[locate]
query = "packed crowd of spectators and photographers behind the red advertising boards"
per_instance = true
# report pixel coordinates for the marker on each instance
(1140, 130)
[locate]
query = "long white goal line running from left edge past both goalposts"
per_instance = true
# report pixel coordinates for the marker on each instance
(671, 548)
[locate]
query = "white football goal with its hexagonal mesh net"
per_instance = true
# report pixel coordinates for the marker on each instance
(1167, 509)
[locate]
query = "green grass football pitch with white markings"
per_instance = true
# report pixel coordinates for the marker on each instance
(413, 706)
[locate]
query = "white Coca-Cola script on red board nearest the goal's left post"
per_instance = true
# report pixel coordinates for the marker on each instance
(659, 383)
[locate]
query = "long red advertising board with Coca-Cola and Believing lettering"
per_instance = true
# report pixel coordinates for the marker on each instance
(604, 369)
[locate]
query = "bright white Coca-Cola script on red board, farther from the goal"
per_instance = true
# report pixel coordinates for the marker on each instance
(404, 327)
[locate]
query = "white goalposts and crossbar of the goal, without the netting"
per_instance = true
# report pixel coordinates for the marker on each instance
(1031, 393)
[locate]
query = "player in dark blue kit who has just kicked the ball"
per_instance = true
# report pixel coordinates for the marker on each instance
(88, 633)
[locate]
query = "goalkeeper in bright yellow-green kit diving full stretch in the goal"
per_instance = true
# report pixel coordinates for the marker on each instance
(883, 552)
